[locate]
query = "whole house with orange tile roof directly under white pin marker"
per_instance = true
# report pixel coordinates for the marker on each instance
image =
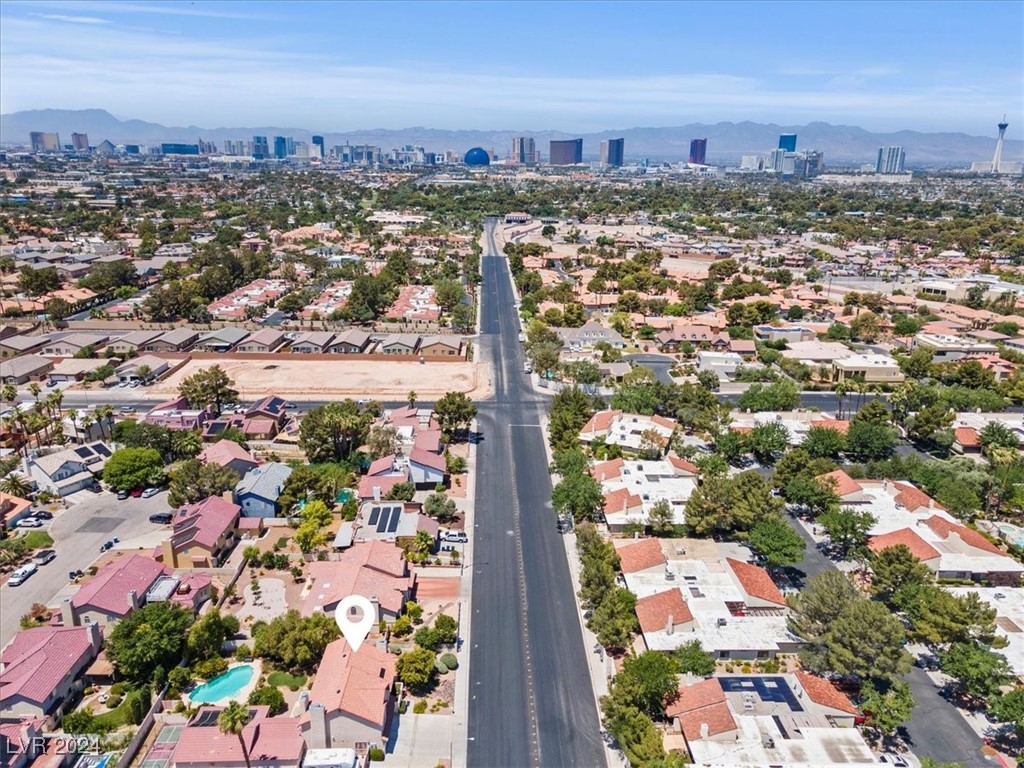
(353, 701)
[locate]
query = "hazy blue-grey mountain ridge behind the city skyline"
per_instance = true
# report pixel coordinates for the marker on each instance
(727, 142)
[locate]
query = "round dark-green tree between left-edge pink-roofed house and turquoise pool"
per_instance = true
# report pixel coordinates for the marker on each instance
(151, 637)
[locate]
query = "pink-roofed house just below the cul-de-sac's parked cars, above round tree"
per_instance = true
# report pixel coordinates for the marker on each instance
(117, 589)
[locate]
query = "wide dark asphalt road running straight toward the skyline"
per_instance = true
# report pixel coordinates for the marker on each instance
(533, 704)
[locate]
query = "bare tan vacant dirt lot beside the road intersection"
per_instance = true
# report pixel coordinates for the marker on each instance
(316, 380)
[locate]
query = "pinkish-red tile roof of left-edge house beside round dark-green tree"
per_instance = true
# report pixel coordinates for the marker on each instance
(38, 660)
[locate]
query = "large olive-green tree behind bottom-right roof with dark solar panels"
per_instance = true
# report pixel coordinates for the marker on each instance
(866, 641)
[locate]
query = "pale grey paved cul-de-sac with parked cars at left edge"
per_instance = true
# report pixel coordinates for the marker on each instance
(79, 533)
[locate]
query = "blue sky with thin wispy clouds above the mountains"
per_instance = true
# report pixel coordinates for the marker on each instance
(574, 67)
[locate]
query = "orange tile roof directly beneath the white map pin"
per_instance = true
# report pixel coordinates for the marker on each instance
(356, 684)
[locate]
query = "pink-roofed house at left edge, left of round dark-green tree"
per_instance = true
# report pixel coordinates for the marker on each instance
(41, 667)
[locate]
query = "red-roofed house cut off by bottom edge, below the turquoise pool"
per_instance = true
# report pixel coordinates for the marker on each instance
(270, 743)
